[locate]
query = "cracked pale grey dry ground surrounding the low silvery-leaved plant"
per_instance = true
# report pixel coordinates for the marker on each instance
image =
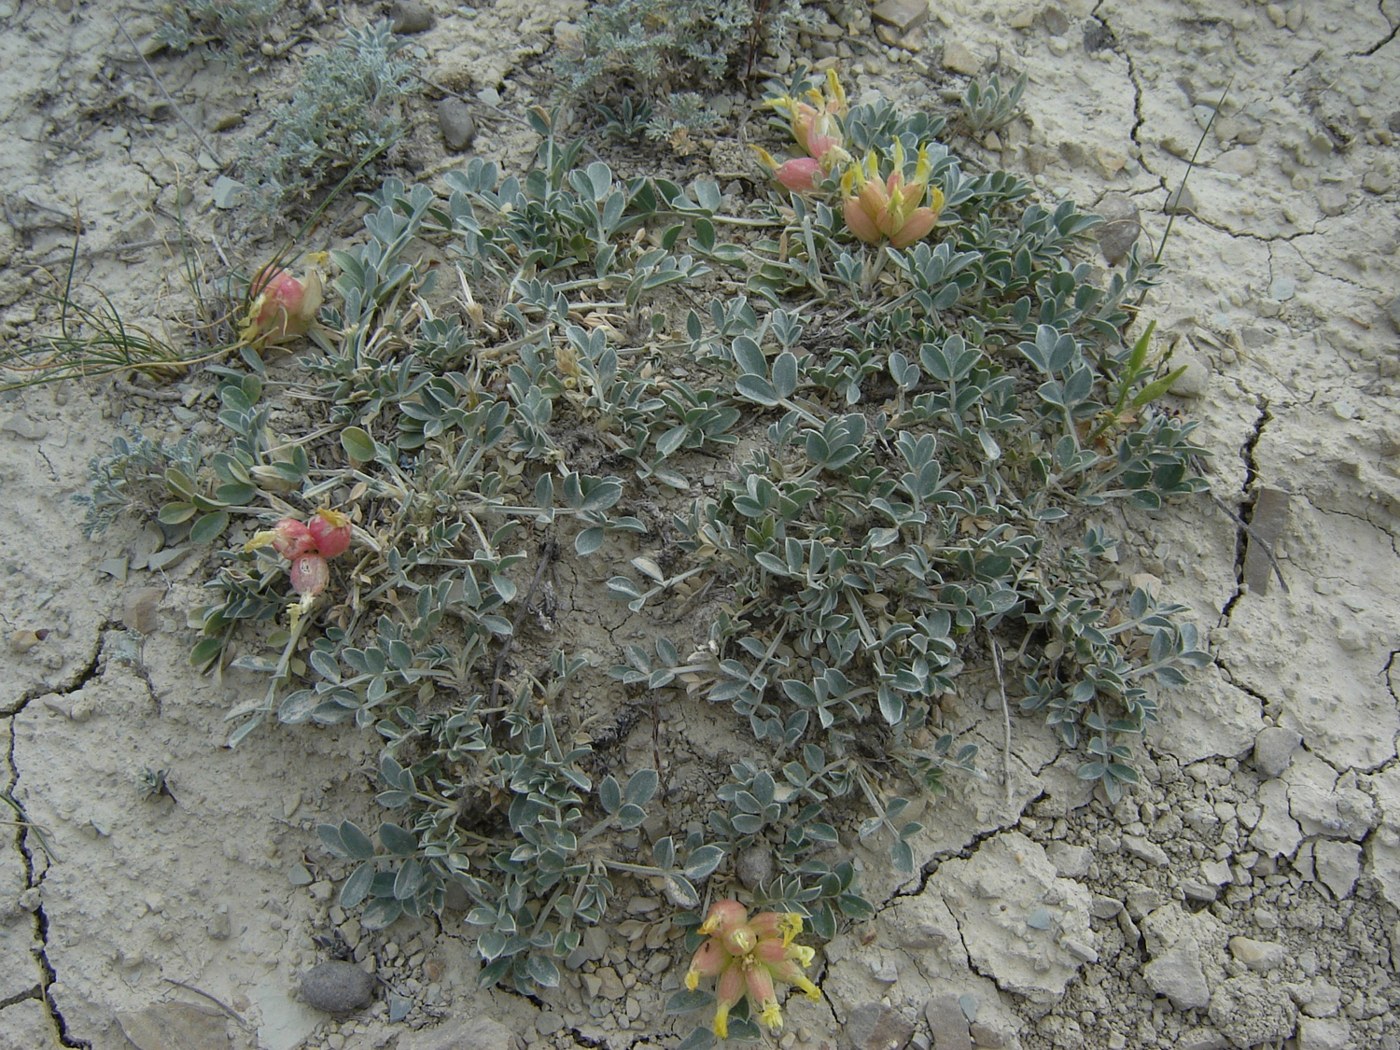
(1247, 897)
